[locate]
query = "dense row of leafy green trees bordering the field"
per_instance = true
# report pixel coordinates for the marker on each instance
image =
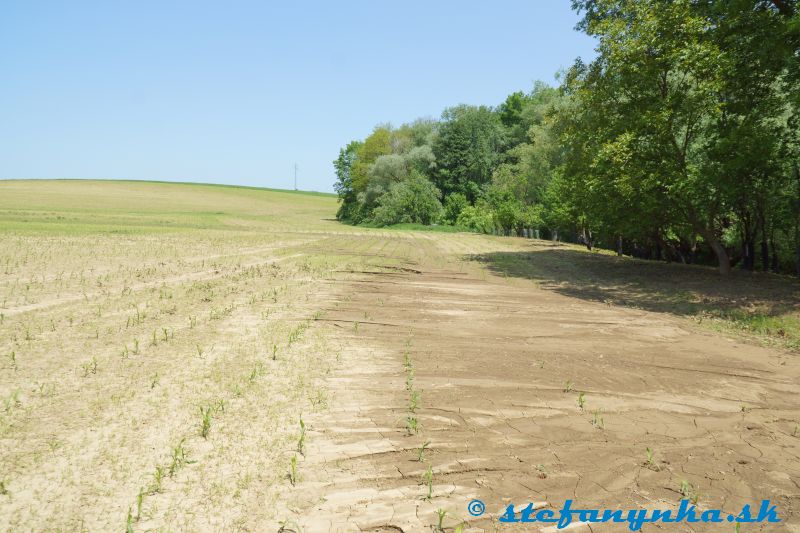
(680, 141)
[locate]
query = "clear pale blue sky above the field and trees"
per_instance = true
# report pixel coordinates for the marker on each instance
(238, 92)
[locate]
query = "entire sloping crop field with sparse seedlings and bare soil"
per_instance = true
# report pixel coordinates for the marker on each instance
(208, 358)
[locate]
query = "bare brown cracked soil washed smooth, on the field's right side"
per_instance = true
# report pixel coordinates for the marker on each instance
(499, 366)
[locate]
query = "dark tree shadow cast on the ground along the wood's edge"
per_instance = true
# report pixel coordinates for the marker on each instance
(651, 285)
